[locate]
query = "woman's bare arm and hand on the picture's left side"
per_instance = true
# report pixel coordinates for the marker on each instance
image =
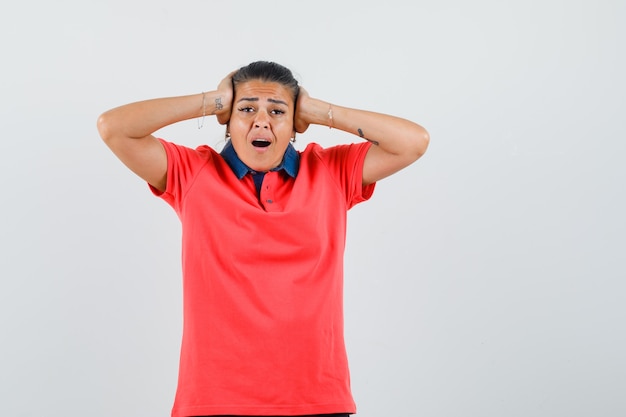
(128, 130)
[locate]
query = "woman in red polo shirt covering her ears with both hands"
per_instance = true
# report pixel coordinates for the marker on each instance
(263, 236)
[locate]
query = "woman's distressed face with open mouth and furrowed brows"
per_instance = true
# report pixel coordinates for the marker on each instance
(261, 123)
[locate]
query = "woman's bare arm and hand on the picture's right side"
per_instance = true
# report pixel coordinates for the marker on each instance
(397, 142)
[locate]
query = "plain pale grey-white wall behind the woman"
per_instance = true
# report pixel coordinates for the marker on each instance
(485, 280)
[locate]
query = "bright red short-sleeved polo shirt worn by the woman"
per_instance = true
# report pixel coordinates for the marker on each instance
(263, 282)
